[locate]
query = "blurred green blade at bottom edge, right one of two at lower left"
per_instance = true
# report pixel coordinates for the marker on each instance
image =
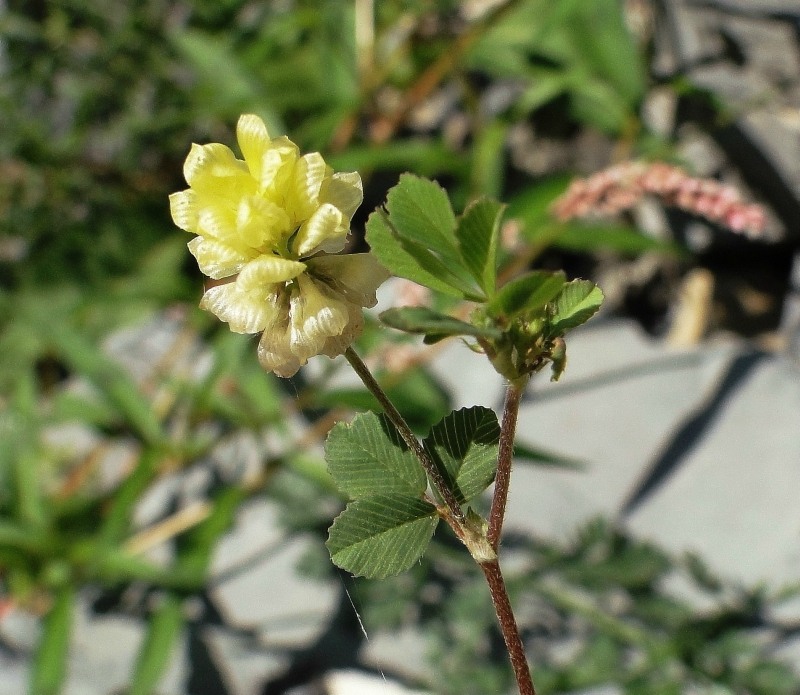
(162, 633)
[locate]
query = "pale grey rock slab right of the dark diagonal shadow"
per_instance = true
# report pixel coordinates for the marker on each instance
(734, 499)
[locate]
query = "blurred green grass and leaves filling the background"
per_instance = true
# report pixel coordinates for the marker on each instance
(100, 102)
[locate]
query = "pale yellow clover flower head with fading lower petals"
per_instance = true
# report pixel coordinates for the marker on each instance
(266, 224)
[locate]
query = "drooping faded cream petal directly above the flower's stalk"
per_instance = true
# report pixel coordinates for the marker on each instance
(315, 317)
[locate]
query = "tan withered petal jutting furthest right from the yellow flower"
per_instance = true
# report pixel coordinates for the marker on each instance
(356, 276)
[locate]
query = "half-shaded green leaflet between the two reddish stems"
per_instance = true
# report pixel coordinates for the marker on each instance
(466, 444)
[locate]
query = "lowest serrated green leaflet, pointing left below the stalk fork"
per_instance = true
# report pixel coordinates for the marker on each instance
(382, 535)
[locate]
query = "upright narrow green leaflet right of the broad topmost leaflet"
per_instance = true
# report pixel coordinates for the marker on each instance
(477, 233)
